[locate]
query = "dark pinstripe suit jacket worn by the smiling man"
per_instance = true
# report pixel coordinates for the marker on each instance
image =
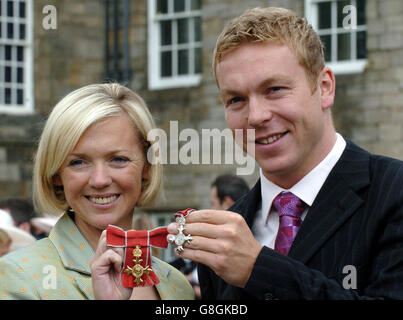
(356, 220)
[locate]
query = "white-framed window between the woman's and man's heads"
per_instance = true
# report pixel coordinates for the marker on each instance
(174, 43)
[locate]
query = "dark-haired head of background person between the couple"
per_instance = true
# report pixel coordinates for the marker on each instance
(225, 190)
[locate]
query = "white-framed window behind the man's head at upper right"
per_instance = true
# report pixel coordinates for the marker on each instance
(342, 28)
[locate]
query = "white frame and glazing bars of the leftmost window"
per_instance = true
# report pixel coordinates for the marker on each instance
(28, 84)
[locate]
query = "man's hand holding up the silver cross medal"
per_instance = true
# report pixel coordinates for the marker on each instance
(222, 241)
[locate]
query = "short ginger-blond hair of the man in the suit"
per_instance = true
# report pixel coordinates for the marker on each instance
(275, 25)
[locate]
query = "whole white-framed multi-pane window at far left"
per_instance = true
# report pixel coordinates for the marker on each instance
(16, 92)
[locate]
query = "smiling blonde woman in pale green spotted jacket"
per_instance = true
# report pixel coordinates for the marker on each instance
(91, 164)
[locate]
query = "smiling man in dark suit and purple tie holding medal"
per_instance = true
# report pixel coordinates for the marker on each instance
(325, 220)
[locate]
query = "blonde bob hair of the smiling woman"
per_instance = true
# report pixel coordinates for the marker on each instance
(69, 119)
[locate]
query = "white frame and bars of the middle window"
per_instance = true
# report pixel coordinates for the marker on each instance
(155, 81)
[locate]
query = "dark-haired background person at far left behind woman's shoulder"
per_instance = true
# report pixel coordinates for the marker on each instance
(22, 211)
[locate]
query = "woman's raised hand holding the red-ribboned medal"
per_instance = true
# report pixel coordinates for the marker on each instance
(105, 272)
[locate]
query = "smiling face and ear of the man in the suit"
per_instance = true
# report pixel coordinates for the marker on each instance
(263, 87)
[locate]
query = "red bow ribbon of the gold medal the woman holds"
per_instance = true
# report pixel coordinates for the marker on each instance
(117, 237)
